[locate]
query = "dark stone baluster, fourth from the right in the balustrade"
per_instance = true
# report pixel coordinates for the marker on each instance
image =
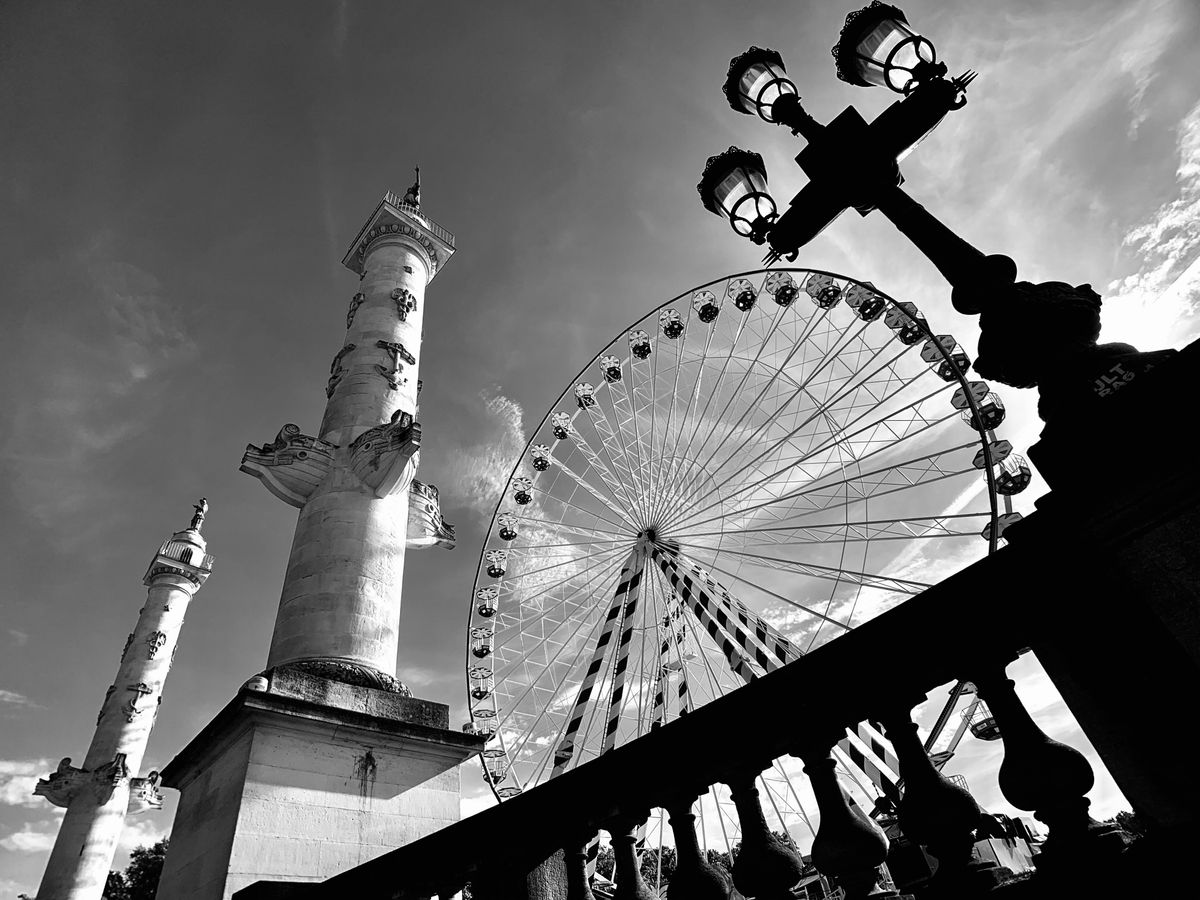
(766, 868)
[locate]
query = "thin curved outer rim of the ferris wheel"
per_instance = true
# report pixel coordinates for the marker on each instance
(985, 436)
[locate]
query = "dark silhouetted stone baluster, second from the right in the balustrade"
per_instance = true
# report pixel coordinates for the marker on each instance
(939, 814)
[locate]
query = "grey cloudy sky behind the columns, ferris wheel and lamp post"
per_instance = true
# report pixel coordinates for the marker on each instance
(179, 187)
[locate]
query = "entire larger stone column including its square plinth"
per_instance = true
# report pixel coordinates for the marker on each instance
(326, 760)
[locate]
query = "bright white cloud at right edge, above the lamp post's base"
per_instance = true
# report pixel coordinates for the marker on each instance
(1157, 304)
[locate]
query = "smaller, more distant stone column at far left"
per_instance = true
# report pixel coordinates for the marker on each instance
(99, 795)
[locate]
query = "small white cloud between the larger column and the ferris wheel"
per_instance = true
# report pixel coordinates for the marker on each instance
(479, 472)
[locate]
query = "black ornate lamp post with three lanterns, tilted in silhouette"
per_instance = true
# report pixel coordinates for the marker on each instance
(1031, 335)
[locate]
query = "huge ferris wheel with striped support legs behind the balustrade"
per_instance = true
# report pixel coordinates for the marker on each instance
(740, 477)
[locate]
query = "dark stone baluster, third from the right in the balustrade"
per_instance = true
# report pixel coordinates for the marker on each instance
(849, 845)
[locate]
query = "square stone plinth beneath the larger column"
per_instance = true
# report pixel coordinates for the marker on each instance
(304, 779)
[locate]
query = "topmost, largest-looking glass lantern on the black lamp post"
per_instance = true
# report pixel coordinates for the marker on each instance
(878, 47)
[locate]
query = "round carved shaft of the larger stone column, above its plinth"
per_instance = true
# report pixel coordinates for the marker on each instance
(339, 613)
